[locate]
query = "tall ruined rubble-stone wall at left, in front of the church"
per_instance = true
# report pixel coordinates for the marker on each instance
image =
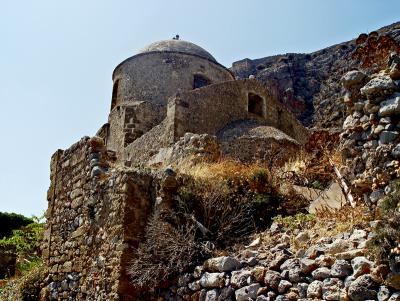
(96, 217)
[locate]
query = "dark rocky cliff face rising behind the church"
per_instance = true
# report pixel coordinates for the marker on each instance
(309, 84)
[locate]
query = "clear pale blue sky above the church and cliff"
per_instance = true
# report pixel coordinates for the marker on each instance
(57, 58)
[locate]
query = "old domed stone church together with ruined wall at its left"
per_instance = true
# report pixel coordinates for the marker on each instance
(99, 202)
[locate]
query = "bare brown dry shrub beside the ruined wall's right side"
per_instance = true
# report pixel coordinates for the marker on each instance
(170, 248)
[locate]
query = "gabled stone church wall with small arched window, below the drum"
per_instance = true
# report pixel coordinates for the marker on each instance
(210, 109)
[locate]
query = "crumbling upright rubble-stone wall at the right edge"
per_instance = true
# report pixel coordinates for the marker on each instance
(371, 132)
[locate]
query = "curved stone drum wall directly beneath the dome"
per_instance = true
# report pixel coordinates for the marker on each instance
(156, 76)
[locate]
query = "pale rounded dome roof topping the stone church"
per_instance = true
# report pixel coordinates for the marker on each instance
(178, 46)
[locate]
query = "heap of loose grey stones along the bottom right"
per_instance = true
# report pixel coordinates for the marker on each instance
(335, 268)
